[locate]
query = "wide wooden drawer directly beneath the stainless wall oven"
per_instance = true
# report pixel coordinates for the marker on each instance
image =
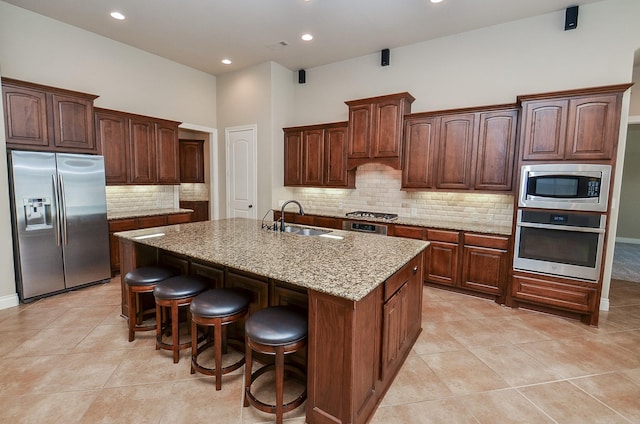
(560, 295)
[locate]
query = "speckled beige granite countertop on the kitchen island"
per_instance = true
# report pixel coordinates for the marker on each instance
(349, 266)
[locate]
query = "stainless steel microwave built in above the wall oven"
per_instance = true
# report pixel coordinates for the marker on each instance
(565, 186)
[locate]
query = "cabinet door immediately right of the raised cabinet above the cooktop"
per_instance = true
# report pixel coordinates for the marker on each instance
(420, 135)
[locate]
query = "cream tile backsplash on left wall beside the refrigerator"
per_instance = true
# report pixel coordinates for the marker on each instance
(141, 197)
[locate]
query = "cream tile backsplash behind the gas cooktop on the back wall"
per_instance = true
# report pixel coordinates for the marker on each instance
(378, 188)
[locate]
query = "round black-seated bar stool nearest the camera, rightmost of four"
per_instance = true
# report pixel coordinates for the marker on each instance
(278, 331)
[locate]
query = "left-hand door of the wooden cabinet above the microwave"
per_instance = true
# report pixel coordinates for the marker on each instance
(544, 132)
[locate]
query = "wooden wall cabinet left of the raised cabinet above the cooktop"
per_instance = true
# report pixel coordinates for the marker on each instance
(315, 156)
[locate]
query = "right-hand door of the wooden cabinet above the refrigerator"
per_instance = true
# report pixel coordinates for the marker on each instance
(73, 123)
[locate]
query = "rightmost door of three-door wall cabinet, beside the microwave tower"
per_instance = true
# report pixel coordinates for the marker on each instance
(496, 150)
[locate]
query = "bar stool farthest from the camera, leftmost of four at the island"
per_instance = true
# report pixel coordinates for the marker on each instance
(138, 281)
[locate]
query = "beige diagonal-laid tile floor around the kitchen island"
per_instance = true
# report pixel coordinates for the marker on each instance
(66, 359)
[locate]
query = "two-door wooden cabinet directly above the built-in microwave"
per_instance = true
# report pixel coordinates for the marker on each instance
(571, 125)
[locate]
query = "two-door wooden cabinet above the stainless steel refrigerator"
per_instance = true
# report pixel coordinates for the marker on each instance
(43, 118)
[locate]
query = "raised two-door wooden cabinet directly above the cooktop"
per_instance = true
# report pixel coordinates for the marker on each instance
(375, 129)
